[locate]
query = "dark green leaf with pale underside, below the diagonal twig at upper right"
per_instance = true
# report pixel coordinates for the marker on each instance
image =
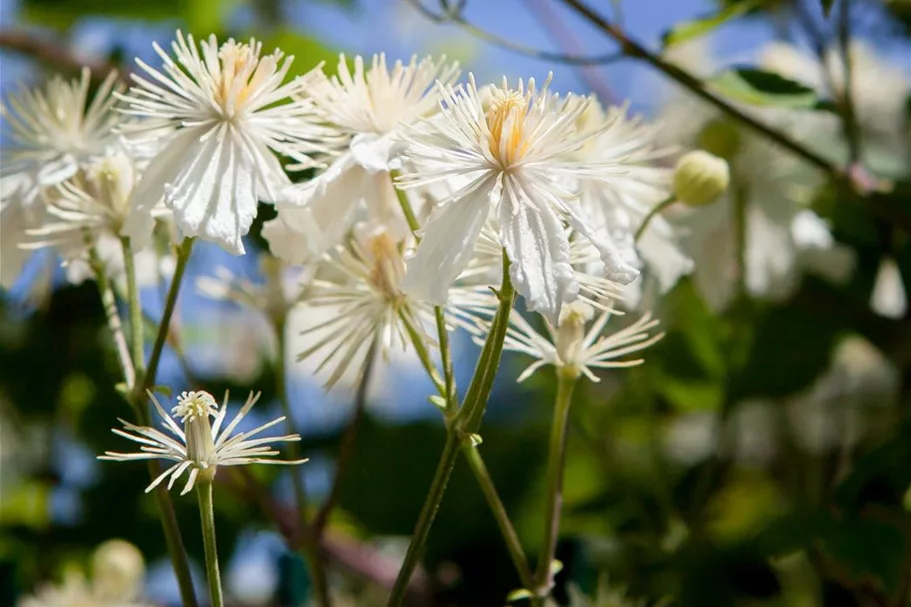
(757, 87)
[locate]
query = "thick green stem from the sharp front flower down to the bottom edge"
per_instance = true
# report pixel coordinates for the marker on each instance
(463, 426)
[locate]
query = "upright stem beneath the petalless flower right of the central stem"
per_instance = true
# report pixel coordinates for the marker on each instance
(556, 457)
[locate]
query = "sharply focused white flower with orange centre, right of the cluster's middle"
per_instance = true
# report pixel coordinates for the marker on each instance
(515, 153)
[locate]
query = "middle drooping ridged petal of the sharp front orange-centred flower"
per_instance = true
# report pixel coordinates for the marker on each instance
(538, 248)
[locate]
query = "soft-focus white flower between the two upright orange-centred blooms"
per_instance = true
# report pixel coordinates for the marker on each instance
(370, 108)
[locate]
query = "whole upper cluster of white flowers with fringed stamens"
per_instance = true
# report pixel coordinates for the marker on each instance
(411, 167)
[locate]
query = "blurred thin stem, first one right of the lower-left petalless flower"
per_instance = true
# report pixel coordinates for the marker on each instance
(310, 542)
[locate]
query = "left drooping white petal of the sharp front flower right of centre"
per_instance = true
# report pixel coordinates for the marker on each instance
(448, 241)
